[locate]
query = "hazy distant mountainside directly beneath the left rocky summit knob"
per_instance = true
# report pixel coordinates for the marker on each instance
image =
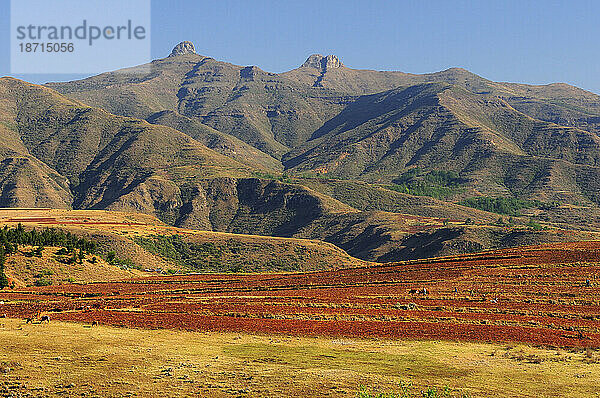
(263, 109)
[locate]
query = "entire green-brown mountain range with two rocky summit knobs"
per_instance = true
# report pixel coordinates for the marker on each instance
(322, 152)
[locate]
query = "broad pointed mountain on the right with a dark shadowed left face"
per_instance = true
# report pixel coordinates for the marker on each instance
(495, 148)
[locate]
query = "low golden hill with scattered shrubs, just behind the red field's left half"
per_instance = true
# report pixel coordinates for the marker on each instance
(142, 245)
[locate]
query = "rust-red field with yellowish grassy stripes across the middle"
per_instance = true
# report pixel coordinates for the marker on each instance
(542, 295)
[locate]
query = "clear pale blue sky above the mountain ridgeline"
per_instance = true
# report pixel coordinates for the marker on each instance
(520, 41)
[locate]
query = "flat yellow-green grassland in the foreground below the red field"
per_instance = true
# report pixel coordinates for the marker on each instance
(68, 359)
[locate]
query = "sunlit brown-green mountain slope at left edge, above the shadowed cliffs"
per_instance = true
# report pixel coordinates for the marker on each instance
(68, 153)
